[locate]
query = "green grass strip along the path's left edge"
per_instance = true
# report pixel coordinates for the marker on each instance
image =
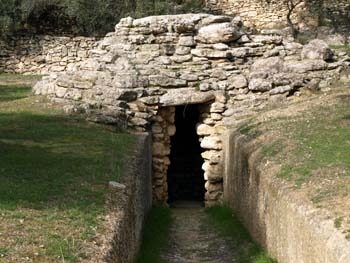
(155, 235)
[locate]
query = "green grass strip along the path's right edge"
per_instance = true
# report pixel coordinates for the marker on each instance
(231, 228)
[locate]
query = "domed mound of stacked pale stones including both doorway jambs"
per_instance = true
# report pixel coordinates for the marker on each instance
(138, 75)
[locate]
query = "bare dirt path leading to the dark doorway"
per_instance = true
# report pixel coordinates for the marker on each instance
(193, 240)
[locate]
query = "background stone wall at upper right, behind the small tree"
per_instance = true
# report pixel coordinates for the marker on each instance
(269, 14)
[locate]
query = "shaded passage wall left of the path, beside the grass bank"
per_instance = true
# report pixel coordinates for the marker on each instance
(129, 203)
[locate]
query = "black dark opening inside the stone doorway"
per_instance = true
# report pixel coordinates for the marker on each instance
(185, 174)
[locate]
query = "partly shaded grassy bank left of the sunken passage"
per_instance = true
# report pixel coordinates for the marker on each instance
(53, 173)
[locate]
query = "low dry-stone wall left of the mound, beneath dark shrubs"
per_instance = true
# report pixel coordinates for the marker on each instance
(43, 54)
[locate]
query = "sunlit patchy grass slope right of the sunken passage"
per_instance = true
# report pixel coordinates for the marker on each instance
(310, 141)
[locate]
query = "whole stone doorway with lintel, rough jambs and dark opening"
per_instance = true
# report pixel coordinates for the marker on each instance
(187, 150)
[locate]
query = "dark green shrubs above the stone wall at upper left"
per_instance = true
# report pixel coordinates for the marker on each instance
(81, 17)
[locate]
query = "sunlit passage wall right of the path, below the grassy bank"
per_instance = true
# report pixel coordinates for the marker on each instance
(276, 215)
